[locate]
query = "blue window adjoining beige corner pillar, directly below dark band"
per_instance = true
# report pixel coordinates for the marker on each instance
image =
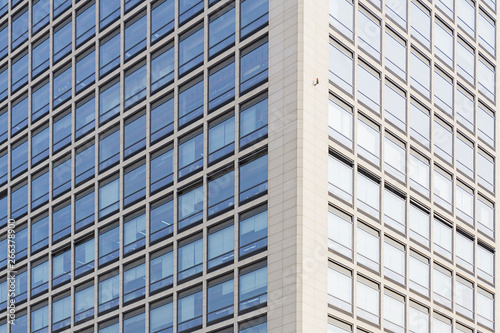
(253, 178)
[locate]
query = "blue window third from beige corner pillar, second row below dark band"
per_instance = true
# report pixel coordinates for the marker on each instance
(190, 261)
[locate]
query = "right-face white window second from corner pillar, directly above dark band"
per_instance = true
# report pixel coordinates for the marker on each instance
(368, 139)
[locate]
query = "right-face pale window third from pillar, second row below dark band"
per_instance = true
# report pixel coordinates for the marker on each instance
(395, 261)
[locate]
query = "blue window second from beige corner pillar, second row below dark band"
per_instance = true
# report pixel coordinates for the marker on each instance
(220, 246)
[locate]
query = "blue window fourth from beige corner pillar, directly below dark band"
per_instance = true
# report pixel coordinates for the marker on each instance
(161, 220)
